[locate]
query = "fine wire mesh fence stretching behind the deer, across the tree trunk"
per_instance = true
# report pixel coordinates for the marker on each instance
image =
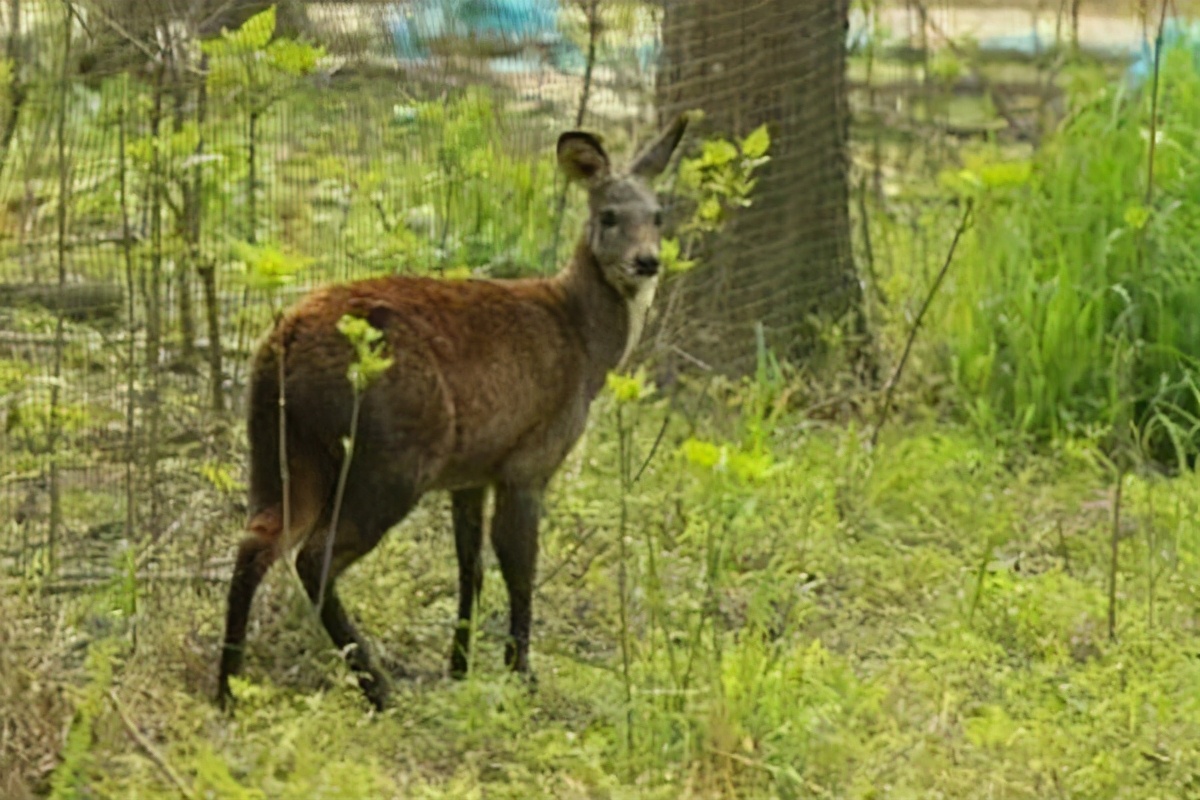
(158, 158)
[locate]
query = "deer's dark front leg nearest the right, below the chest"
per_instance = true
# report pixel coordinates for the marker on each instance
(515, 540)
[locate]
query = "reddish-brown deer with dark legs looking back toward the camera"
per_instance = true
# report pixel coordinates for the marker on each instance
(490, 388)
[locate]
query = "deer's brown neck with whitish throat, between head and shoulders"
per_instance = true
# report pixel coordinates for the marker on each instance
(610, 322)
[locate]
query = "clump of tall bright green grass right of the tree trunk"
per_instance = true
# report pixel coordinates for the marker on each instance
(1070, 309)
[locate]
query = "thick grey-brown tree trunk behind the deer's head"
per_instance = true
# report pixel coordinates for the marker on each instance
(789, 256)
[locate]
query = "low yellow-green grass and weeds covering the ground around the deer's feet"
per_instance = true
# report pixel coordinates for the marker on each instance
(926, 621)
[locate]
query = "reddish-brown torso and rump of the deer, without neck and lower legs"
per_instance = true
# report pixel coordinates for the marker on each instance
(485, 389)
